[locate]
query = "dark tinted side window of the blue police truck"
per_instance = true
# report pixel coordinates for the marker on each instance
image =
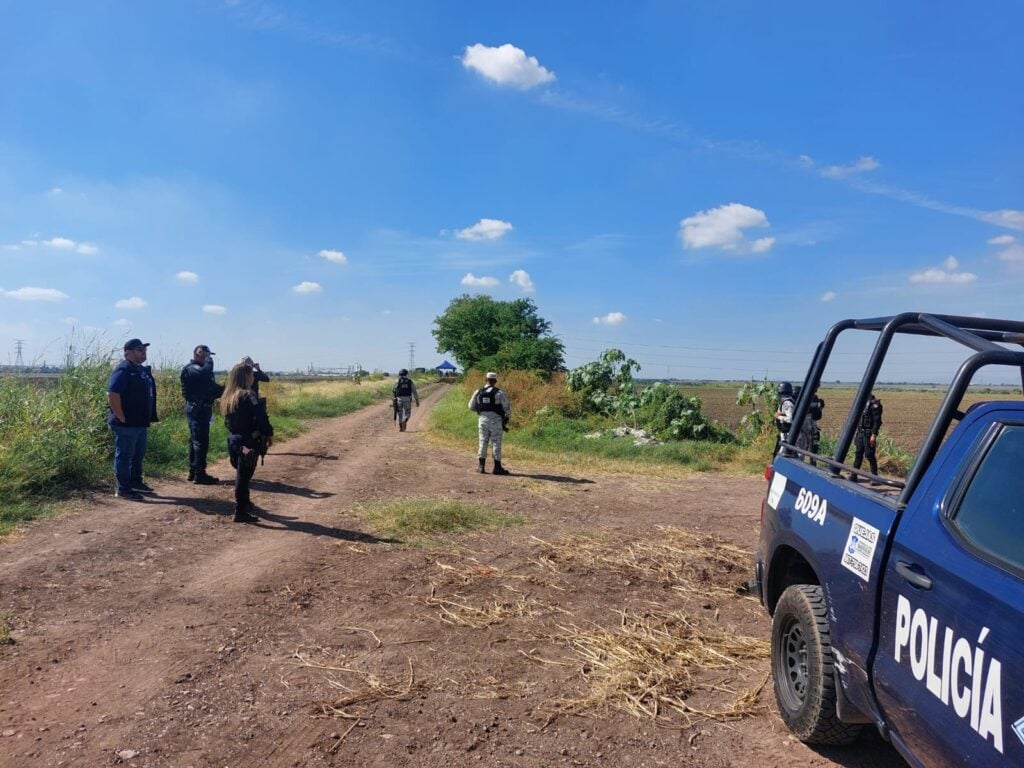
(991, 515)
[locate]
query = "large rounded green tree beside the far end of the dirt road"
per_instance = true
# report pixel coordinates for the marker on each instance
(501, 335)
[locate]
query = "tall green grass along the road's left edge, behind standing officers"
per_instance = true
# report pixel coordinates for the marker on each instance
(55, 441)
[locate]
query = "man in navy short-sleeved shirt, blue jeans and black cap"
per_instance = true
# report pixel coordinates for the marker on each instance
(132, 395)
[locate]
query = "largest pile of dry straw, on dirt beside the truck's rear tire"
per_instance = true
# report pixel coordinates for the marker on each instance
(655, 666)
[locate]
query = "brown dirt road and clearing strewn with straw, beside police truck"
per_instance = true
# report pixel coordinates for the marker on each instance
(604, 631)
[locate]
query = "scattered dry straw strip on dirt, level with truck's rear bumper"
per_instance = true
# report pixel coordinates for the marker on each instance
(681, 559)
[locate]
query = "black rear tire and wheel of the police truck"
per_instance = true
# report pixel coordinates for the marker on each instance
(802, 668)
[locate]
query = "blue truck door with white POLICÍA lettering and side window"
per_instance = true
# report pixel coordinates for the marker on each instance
(950, 666)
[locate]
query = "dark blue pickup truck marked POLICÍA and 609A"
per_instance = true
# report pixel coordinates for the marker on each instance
(901, 603)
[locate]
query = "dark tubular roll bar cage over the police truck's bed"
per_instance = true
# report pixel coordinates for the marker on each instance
(983, 335)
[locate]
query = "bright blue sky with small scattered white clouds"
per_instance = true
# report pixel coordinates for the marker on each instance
(705, 186)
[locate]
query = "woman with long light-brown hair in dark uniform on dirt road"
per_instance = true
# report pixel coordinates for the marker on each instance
(248, 425)
